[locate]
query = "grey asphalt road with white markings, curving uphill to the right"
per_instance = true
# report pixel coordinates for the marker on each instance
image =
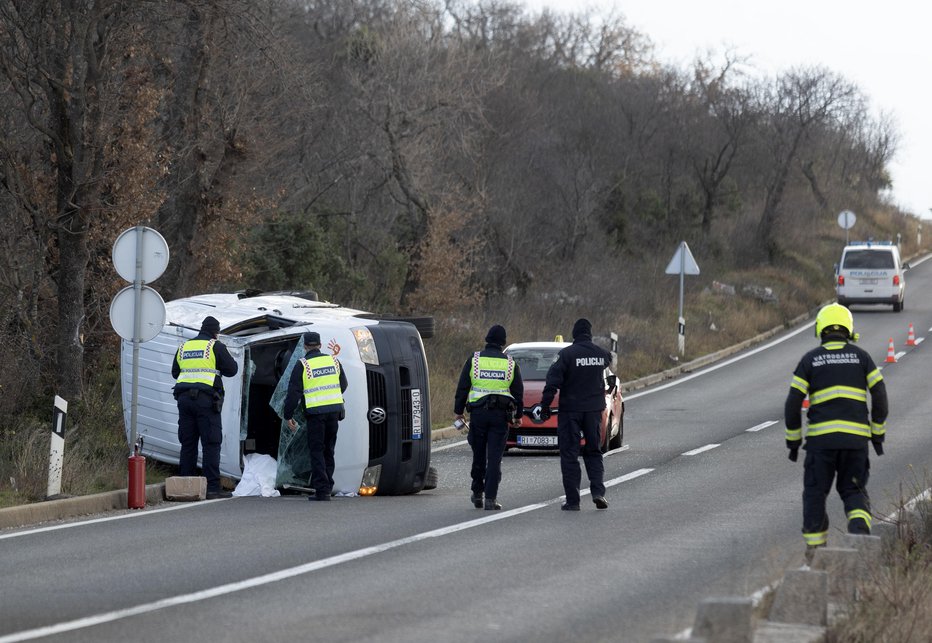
(703, 503)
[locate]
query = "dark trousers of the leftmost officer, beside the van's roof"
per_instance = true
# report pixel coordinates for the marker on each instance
(198, 421)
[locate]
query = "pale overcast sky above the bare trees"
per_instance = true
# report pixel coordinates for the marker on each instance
(885, 48)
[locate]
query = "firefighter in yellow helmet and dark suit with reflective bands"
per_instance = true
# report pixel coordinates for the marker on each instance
(837, 377)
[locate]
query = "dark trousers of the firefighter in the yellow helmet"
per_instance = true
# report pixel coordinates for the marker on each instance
(852, 468)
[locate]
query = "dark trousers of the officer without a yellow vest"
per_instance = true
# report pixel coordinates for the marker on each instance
(570, 426)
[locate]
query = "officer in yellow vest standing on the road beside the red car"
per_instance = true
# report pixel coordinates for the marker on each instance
(490, 388)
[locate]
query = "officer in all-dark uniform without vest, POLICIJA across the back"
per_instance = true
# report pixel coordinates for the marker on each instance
(579, 374)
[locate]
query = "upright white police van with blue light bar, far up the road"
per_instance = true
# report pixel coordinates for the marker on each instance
(870, 272)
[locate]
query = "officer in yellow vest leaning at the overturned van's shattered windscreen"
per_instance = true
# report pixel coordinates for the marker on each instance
(318, 381)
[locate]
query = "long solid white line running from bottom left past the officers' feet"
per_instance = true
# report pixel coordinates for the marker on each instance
(307, 568)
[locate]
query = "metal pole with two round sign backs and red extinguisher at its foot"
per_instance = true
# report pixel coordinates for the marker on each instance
(137, 314)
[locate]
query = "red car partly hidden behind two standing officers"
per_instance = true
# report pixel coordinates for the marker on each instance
(534, 360)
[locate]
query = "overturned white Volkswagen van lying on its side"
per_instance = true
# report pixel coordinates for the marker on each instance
(383, 445)
